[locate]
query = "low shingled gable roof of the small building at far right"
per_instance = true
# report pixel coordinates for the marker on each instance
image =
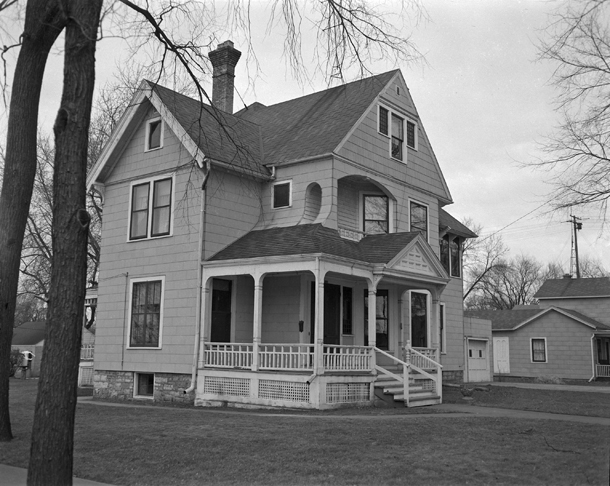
(510, 320)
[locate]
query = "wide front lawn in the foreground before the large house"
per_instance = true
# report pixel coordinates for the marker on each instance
(176, 446)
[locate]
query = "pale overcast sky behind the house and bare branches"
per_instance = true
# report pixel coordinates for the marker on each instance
(485, 103)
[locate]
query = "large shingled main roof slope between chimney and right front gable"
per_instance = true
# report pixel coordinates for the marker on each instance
(314, 124)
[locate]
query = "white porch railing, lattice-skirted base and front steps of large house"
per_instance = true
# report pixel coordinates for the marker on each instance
(303, 376)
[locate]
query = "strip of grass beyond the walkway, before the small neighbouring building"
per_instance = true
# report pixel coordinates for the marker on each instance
(553, 401)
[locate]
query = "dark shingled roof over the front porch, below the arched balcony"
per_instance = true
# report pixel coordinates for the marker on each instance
(314, 238)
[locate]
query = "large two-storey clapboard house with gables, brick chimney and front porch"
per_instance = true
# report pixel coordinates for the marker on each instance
(292, 257)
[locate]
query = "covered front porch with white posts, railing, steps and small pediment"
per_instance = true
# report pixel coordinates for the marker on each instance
(321, 330)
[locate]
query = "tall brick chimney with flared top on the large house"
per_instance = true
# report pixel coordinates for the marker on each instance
(224, 60)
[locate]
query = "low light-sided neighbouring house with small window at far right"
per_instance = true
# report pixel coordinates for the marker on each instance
(567, 335)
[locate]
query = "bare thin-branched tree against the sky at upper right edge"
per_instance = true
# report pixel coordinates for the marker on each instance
(577, 41)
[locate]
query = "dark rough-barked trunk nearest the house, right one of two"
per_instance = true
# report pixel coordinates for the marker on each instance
(51, 456)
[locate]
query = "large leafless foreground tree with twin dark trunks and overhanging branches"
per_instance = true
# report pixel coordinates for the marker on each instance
(350, 27)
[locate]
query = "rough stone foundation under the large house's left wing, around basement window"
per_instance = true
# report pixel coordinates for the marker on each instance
(119, 386)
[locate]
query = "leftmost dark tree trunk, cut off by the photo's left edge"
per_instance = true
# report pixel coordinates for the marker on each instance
(43, 23)
